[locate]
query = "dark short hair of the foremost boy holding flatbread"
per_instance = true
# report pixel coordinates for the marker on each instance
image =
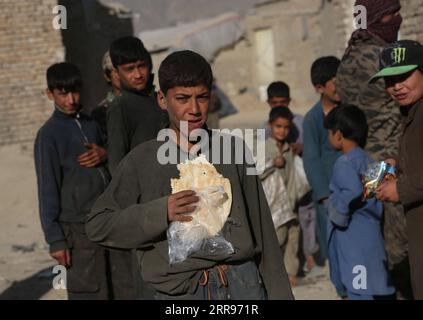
(184, 69)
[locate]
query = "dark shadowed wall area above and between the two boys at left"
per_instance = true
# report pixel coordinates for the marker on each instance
(91, 27)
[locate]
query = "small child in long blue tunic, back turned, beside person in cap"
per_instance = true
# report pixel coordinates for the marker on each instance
(357, 257)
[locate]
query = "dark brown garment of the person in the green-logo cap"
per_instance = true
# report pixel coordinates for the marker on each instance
(410, 190)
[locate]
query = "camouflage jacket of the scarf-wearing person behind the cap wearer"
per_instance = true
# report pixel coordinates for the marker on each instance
(358, 65)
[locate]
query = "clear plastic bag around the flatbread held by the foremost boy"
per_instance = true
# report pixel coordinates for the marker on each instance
(203, 233)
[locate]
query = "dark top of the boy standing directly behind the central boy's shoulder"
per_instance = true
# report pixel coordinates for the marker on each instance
(132, 119)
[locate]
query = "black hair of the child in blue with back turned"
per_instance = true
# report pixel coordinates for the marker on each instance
(351, 121)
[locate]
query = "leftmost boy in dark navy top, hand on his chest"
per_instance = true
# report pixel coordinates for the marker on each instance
(71, 175)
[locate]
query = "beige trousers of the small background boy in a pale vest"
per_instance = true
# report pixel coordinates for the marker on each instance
(289, 239)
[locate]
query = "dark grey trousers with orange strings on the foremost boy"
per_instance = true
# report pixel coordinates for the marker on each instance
(229, 282)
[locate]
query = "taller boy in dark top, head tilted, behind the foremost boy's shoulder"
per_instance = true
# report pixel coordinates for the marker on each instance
(135, 116)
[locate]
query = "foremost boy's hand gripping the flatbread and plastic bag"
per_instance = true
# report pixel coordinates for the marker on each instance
(181, 203)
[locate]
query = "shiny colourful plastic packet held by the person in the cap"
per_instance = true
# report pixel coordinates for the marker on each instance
(376, 174)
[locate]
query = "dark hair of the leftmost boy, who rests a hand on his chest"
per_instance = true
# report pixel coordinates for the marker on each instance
(64, 76)
